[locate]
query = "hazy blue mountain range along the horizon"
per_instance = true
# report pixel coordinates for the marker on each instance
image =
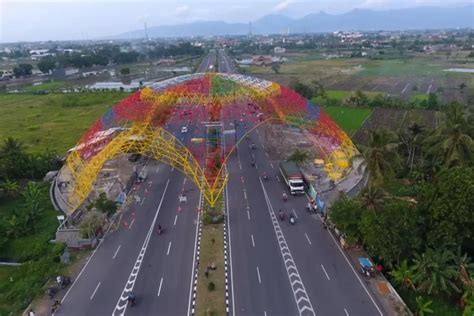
(358, 19)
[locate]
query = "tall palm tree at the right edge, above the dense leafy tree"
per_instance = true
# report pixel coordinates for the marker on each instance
(451, 143)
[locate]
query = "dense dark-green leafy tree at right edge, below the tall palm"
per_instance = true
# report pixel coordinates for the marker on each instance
(447, 206)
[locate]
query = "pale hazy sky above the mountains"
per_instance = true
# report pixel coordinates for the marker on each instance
(85, 19)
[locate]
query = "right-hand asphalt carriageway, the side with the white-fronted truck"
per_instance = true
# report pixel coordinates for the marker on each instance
(301, 268)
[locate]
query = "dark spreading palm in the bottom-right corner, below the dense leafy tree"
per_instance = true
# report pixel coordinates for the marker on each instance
(434, 272)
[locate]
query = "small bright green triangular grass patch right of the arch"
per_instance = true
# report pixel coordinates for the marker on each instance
(348, 118)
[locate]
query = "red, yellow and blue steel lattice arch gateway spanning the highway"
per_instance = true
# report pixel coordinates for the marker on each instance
(141, 124)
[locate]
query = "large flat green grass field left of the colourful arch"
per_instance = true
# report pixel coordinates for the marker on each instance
(53, 121)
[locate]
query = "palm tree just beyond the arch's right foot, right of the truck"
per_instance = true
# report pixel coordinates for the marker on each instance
(381, 154)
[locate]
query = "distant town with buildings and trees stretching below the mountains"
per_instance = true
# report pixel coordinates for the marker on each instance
(126, 65)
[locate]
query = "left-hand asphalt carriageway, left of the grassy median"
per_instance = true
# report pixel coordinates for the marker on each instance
(158, 268)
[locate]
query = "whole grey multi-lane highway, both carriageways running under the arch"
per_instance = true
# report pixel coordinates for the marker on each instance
(275, 268)
